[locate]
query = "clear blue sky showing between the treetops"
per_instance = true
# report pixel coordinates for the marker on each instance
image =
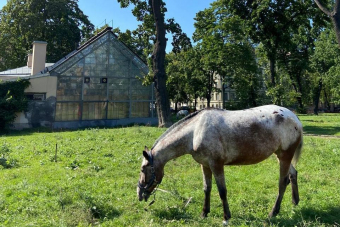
(109, 11)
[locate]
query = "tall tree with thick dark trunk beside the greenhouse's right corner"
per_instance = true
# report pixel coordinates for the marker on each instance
(153, 28)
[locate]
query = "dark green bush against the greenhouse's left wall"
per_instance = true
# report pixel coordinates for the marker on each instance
(12, 101)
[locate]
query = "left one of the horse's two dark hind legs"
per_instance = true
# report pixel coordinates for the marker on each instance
(283, 182)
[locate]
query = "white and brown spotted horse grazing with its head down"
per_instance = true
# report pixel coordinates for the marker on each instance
(216, 137)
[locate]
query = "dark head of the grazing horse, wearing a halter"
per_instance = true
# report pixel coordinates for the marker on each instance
(147, 180)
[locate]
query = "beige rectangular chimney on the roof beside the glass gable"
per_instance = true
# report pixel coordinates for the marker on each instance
(38, 57)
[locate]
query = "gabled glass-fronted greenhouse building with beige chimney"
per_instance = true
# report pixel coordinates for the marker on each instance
(95, 85)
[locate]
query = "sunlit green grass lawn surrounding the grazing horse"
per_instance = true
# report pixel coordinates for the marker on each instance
(93, 182)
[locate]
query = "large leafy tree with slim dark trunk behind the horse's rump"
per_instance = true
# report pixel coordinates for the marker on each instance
(273, 25)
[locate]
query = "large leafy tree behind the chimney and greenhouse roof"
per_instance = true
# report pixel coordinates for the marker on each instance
(59, 22)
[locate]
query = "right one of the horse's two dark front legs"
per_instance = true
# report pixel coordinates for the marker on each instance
(220, 181)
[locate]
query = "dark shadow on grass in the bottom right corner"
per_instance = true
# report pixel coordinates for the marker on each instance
(311, 215)
